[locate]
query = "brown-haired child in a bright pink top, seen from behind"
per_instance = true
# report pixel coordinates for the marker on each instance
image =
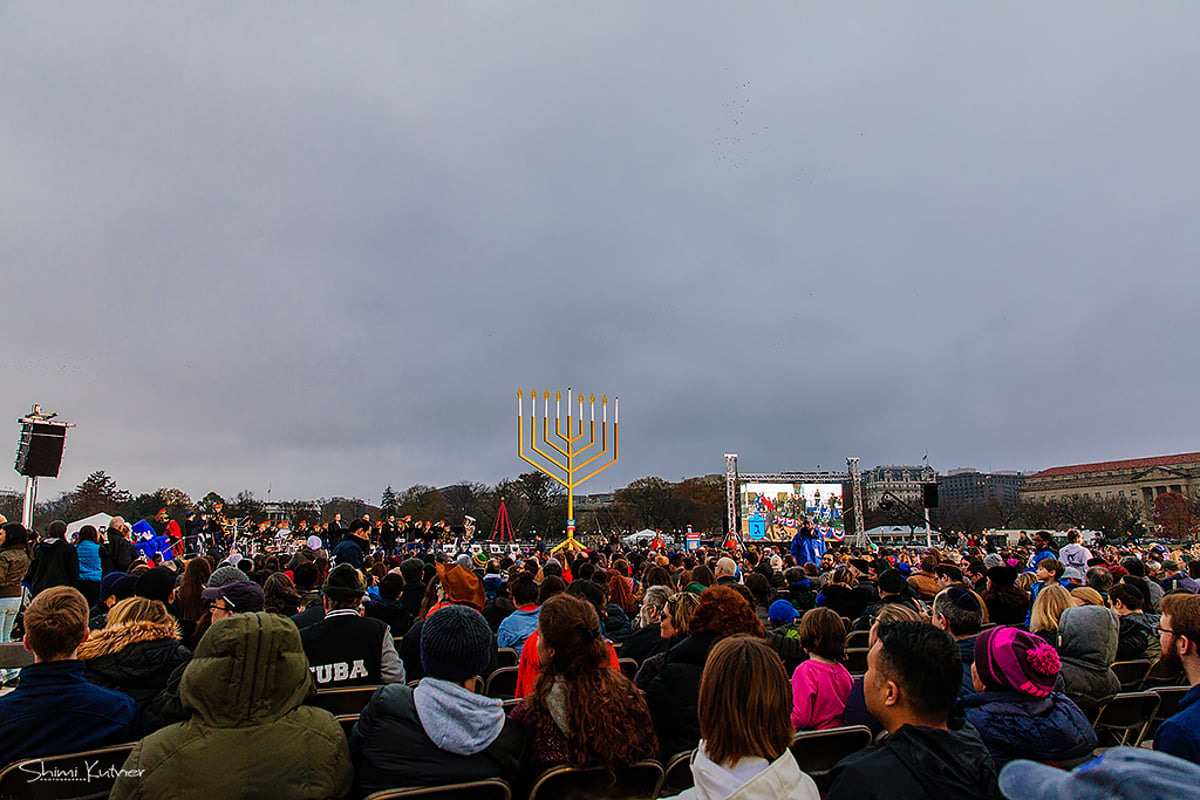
(821, 685)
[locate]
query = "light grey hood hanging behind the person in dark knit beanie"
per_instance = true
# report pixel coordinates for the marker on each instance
(455, 719)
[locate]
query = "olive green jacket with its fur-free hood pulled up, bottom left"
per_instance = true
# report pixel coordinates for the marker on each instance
(250, 735)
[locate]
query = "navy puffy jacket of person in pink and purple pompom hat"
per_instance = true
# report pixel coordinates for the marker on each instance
(1015, 725)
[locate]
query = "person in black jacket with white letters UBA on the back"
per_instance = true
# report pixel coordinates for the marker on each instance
(345, 648)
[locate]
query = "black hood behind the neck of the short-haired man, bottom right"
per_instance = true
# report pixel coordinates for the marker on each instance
(949, 763)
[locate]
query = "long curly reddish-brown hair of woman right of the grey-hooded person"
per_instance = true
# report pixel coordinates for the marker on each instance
(608, 719)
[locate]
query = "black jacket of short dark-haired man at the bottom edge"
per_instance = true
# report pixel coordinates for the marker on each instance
(919, 765)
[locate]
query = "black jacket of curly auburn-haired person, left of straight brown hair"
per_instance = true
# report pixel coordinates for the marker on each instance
(675, 694)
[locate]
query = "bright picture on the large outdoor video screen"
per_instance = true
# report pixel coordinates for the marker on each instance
(778, 510)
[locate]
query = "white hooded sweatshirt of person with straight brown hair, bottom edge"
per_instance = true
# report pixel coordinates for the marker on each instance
(751, 779)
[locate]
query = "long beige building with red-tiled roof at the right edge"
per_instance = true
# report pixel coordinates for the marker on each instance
(1138, 479)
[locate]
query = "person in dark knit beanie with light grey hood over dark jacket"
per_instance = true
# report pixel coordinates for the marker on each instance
(442, 731)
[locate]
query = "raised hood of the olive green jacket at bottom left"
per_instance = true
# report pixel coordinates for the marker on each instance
(248, 670)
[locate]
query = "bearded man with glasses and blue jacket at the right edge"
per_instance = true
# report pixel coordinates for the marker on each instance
(1179, 634)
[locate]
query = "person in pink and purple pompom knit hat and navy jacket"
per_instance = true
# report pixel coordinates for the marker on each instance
(1016, 707)
